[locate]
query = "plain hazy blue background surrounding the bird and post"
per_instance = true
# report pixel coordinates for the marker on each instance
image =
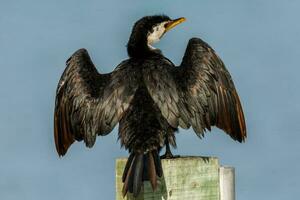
(257, 40)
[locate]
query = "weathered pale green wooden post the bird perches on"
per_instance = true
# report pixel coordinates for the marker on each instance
(184, 178)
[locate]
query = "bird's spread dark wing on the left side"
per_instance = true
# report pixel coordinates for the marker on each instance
(89, 103)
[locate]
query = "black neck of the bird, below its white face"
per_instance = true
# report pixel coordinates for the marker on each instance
(138, 47)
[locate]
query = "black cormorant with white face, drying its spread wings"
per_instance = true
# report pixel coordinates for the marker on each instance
(149, 97)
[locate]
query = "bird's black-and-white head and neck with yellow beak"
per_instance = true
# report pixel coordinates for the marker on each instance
(147, 31)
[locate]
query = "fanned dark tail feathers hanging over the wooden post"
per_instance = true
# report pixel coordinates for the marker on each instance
(141, 167)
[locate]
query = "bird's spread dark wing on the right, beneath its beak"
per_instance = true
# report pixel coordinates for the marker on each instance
(199, 93)
